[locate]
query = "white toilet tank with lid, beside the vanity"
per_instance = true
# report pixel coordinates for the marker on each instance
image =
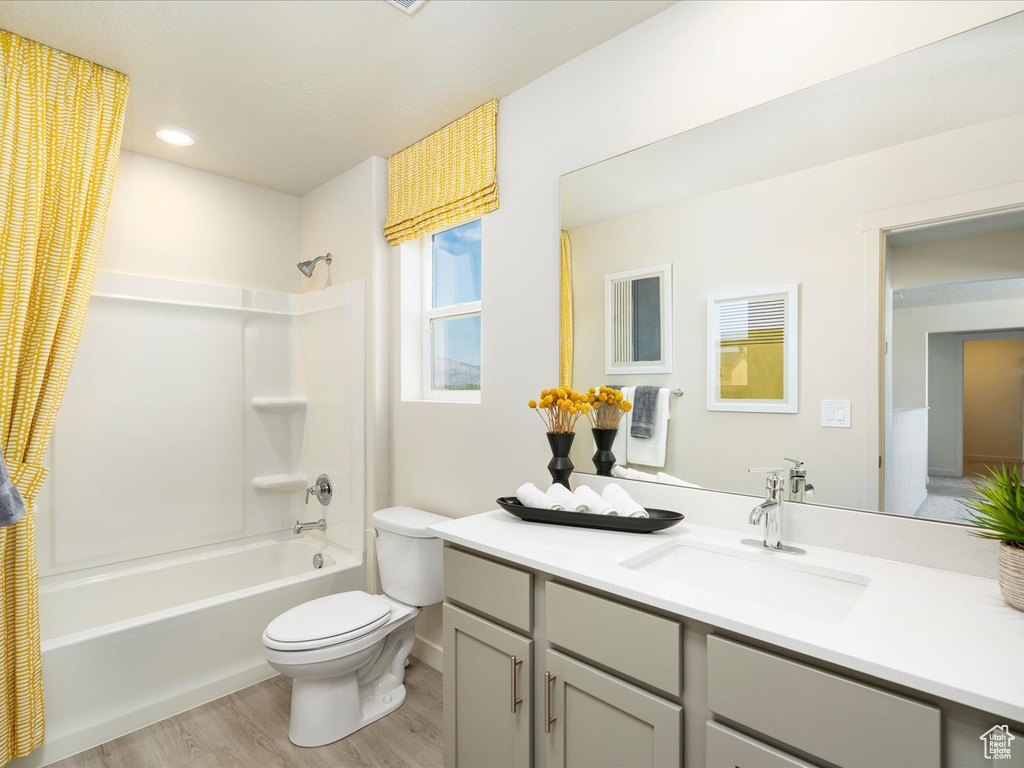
(410, 557)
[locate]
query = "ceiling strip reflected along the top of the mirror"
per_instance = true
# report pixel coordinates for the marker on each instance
(971, 78)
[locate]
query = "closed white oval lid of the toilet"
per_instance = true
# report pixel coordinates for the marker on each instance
(328, 621)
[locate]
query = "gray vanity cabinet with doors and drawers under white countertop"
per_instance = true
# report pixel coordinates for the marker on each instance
(548, 673)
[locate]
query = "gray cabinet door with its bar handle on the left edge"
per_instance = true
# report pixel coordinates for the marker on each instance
(593, 720)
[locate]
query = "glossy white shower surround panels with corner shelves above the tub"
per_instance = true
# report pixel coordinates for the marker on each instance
(163, 443)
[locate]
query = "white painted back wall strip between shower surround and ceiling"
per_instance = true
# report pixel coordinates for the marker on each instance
(167, 221)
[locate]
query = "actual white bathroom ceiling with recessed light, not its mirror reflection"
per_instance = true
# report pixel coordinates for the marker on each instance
(289, 95)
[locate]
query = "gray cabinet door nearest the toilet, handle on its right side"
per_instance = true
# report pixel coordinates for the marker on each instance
(488, 694)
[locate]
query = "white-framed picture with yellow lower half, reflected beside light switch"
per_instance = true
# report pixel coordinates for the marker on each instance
(753, 352)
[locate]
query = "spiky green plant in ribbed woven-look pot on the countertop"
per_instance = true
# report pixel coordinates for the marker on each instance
(998, 510)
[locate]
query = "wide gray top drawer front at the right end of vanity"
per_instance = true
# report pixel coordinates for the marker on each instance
(831, 717)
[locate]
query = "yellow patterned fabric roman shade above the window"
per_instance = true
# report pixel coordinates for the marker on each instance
(450, 177)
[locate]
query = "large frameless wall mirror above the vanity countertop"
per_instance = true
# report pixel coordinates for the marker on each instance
(889, 205)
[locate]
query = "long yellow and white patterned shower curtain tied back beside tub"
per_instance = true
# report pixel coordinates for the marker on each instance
(60, 137)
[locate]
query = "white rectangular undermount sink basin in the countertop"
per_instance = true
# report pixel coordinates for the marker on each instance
(773, 580)
